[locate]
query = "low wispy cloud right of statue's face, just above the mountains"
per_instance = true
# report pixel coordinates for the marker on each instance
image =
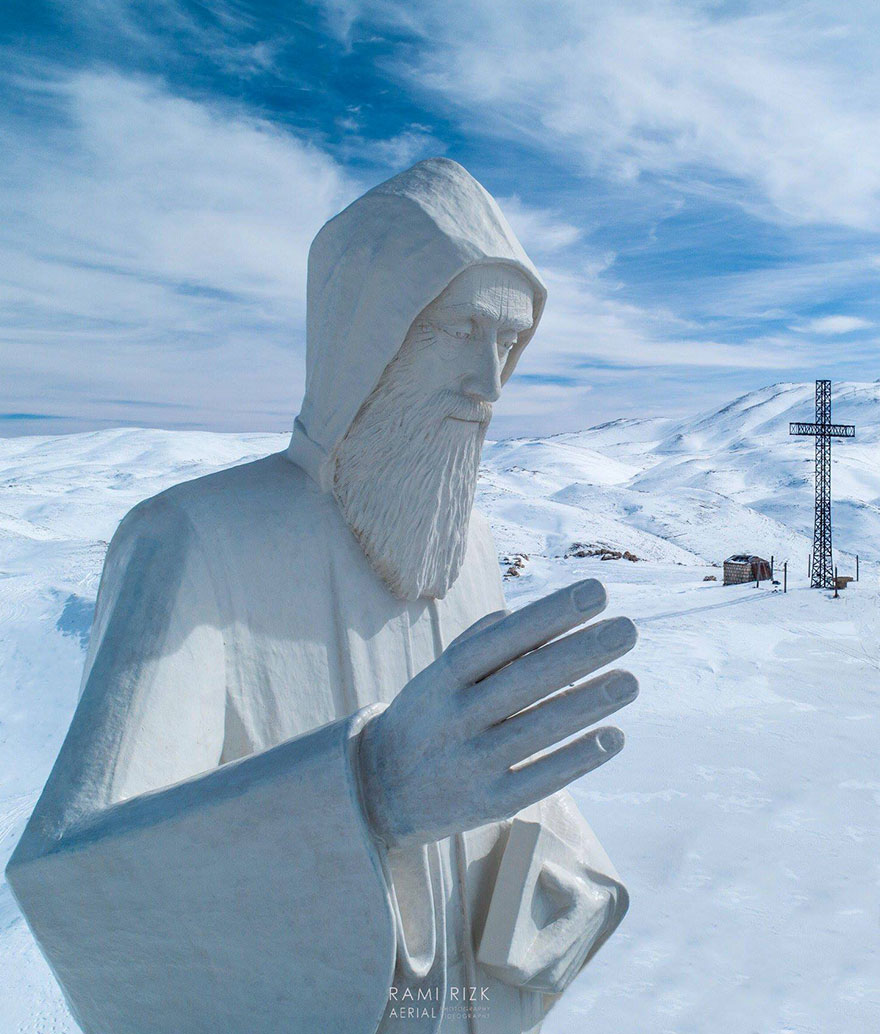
(598, 358)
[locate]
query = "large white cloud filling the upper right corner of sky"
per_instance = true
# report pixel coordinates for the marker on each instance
(783, 101)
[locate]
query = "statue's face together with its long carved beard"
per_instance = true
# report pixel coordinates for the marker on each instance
(407, 470)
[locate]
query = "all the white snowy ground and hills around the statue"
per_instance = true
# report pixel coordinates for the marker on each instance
(745, 814)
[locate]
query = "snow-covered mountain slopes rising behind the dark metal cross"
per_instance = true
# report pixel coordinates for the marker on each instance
(692, 492)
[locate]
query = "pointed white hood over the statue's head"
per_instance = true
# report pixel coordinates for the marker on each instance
(372, 270)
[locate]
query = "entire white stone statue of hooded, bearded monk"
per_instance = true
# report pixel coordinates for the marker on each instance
(299, 793)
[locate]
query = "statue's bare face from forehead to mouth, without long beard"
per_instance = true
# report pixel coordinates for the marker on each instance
(462, 342)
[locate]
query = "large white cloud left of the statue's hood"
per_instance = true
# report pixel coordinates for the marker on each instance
(157, 252)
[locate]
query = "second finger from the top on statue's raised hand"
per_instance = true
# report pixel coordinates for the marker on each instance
(547, 671)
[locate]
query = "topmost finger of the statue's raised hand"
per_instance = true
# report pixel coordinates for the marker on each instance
(478, 656)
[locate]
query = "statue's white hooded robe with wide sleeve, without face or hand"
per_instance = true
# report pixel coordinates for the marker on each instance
(200, 860)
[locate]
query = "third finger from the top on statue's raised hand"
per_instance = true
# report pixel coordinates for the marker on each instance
(560, 717)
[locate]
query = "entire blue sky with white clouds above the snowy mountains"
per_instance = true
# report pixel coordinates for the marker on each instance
(699, 183)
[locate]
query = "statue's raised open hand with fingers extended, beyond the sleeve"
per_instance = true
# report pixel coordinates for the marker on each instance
(450, 751)
